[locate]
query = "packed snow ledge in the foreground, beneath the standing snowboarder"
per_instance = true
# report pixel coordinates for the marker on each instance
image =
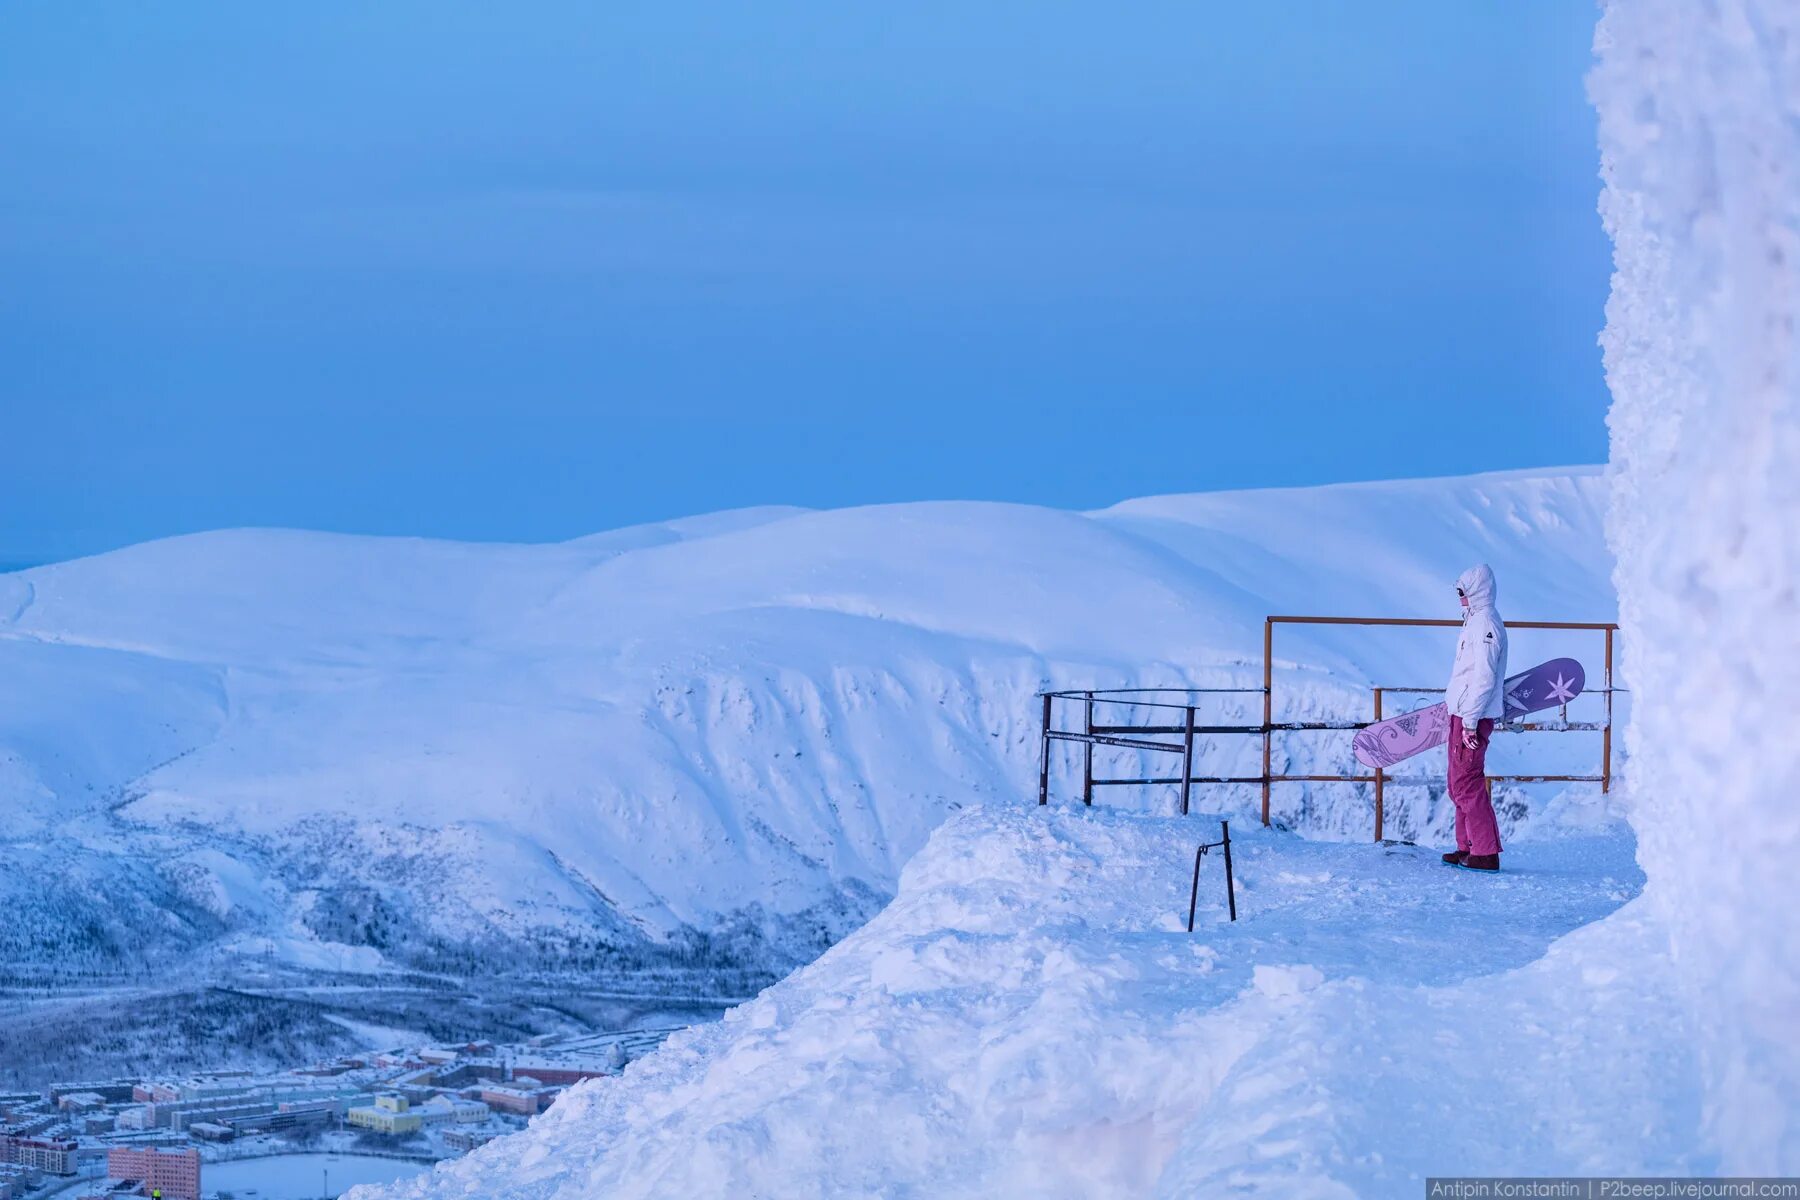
(1030, 1019)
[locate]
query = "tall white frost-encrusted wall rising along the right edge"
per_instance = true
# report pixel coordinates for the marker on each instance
(1700, 138)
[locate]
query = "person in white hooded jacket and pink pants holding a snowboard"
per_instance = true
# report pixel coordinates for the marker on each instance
(1477, 699)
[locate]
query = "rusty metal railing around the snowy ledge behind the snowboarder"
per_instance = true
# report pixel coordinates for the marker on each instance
(1160, 715)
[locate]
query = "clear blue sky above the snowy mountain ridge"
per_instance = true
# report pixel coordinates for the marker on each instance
(541, 269)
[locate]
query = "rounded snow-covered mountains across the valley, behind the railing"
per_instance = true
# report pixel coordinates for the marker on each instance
(717, 739)
